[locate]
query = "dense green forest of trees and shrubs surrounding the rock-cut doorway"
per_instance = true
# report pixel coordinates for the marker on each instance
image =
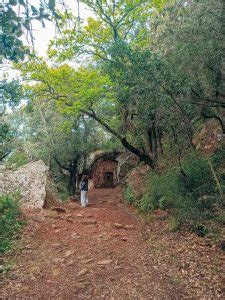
(146, 77)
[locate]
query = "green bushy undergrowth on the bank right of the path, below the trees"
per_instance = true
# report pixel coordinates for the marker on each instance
(191, 196)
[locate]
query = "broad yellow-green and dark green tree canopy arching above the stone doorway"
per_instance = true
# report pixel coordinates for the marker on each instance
(146, 73)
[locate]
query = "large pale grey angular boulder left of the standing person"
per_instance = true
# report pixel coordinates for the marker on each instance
(34, 184)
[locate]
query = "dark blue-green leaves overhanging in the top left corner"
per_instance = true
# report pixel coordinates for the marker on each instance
(17, 17)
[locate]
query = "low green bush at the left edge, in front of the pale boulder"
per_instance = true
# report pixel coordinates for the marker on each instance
(10, 220)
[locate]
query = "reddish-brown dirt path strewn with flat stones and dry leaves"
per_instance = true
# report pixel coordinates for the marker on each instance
(86, 253)
